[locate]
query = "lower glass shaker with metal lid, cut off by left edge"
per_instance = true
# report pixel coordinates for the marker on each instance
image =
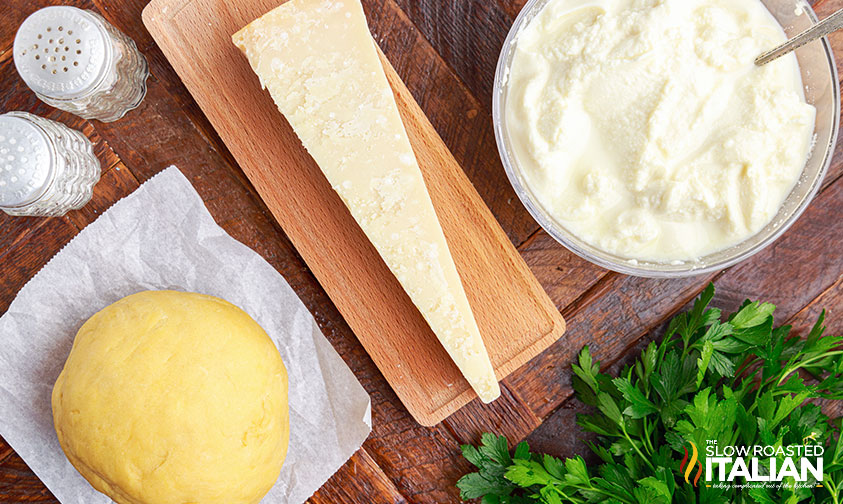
(46, 168)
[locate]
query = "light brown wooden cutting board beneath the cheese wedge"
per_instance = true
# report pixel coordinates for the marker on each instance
(516, 317)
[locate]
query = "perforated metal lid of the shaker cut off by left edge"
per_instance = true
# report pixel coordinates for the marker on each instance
(26, 161)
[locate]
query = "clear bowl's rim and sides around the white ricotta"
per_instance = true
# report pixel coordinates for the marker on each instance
(819, 75)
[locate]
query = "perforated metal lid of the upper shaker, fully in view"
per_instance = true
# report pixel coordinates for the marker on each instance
(62, 52)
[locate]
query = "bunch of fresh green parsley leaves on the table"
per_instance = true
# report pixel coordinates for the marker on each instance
(741, 382)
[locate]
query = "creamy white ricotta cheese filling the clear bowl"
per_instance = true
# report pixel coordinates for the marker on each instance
(645, 128)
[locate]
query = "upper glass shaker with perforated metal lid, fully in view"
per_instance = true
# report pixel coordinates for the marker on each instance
(76, 61)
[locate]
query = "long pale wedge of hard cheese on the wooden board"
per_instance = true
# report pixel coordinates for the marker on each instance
(319, 63)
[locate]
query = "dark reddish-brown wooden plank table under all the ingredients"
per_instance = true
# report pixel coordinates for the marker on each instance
(446, 51)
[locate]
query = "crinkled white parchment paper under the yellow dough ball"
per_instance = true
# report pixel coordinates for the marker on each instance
(162, 237)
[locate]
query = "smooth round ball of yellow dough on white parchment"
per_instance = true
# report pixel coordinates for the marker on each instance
(172, 398)
